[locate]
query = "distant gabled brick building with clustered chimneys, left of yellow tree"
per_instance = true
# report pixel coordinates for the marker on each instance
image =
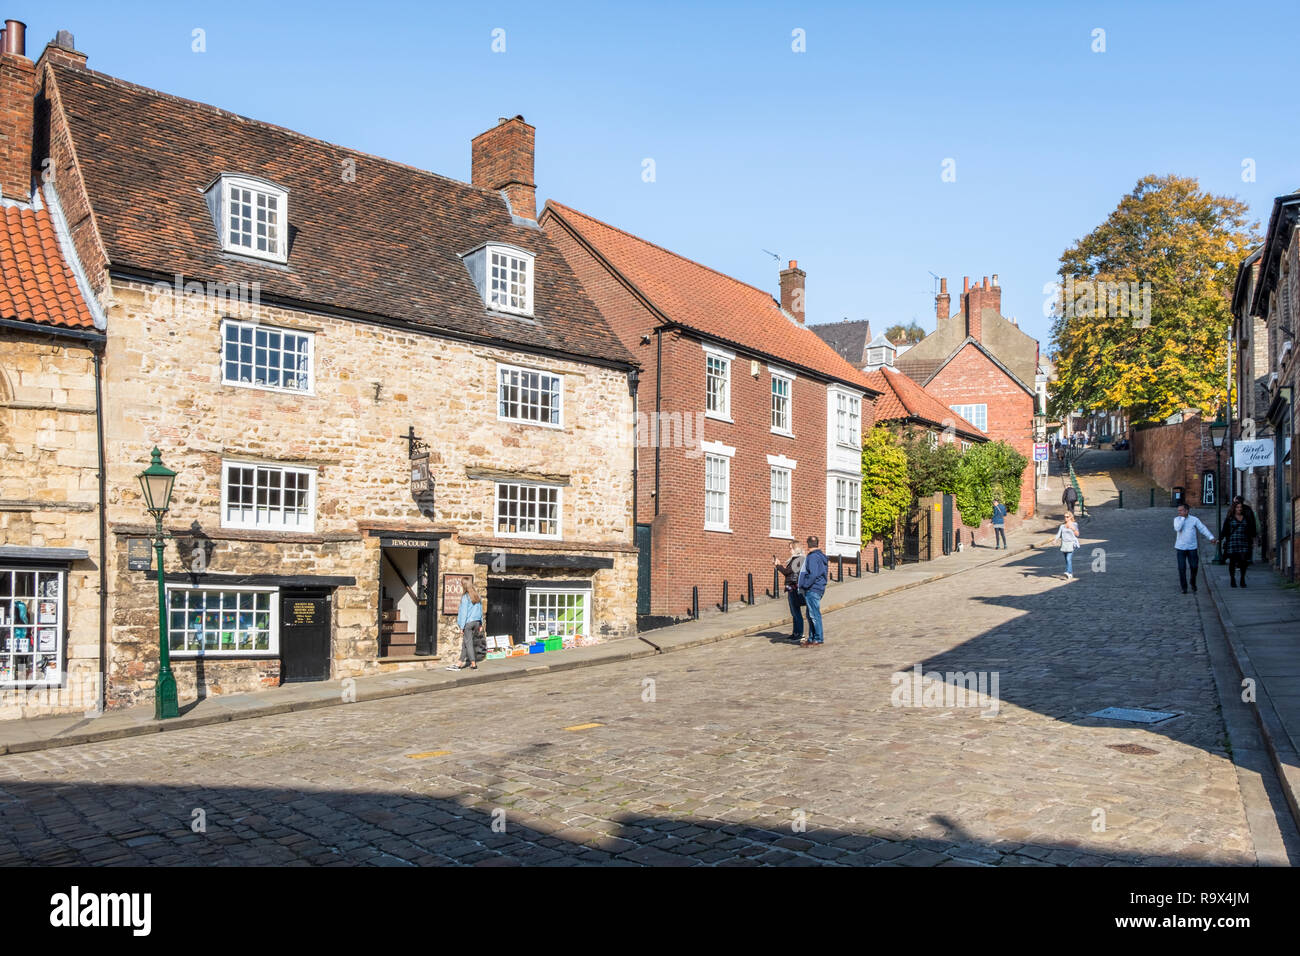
(982, 366)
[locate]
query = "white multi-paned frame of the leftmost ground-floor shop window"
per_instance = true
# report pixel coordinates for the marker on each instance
(36, 631)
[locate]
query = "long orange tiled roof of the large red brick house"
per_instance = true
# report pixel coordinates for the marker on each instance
(708, 302)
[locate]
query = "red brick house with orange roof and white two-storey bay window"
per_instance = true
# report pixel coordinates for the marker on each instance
(749, 426)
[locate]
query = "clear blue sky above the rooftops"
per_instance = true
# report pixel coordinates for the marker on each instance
(833, 157)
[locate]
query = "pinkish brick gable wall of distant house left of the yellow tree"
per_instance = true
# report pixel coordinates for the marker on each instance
(973, 379)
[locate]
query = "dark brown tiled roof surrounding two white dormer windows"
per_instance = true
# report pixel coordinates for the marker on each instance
(384, 246)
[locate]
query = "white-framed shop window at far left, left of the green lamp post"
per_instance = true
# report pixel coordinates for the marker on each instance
(32, 626)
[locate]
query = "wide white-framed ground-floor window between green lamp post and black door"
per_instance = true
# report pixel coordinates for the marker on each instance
(223, 622)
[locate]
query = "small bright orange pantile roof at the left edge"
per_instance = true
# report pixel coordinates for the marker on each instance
(36, 284)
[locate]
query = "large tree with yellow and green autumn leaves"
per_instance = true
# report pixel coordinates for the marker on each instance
(1143, 306)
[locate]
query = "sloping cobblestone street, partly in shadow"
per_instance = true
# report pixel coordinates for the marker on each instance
(748, 751)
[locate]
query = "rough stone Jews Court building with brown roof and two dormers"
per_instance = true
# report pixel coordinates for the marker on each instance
(374, 383)
